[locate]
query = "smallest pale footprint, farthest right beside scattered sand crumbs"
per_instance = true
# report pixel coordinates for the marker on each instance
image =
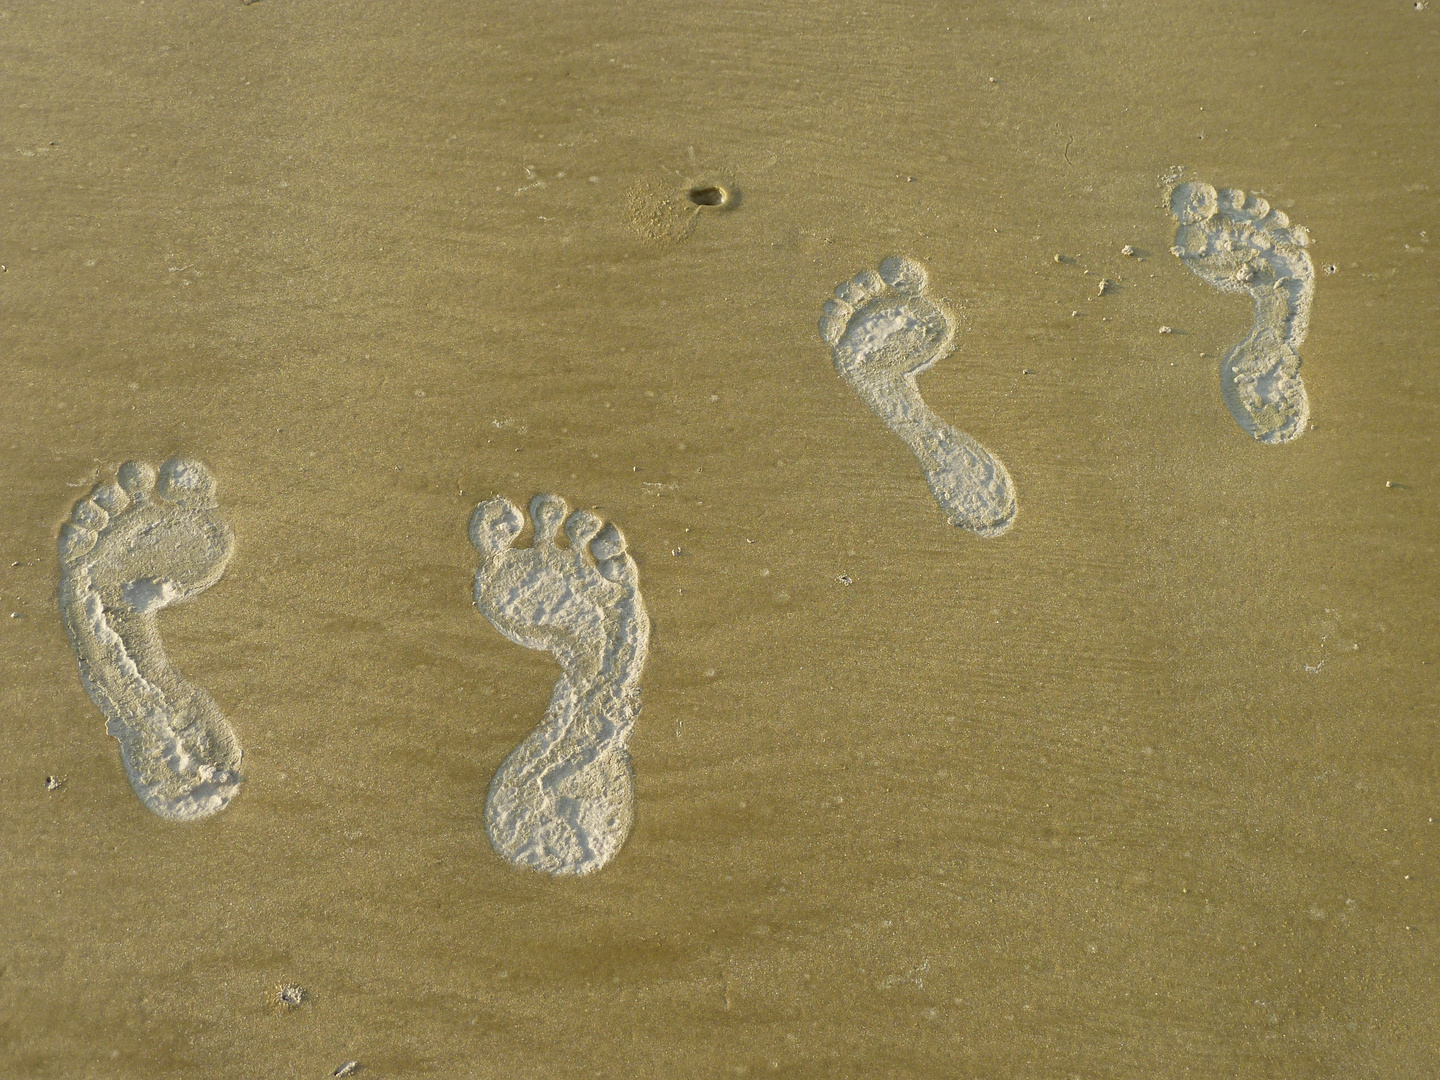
(1239, 244)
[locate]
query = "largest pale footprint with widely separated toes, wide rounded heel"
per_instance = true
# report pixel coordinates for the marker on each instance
(565, 798)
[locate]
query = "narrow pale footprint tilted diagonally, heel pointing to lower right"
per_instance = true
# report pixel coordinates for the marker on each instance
(883, 330)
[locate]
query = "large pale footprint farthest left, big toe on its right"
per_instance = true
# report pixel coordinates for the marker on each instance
(130, 549)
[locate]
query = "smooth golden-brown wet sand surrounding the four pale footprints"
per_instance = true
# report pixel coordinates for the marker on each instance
(1144, 788)
